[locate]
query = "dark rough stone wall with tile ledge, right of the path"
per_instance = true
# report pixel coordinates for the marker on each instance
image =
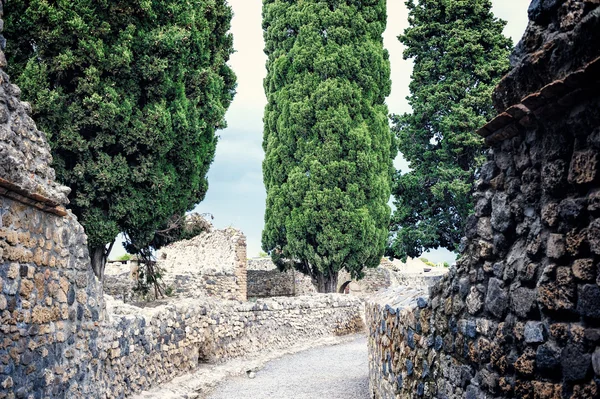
(519, 315)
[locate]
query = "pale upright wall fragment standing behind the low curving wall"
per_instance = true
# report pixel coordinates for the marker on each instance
(211, 264)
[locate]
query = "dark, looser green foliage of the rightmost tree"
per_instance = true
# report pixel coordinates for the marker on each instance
(459, 54)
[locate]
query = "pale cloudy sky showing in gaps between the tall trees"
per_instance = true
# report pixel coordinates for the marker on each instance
(236, 195)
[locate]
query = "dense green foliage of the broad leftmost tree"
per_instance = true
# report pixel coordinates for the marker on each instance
(130, 93)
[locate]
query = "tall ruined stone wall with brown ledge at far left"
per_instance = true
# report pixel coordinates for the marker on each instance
(50, 301)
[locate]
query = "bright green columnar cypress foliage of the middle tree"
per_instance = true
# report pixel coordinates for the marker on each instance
(329, 152)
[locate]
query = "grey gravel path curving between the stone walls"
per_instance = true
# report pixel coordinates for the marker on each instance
(333, 372)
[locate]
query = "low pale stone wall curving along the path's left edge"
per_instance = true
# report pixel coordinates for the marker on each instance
(141, 348)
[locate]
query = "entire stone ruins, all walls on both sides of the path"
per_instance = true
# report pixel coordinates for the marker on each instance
(517, 317)
